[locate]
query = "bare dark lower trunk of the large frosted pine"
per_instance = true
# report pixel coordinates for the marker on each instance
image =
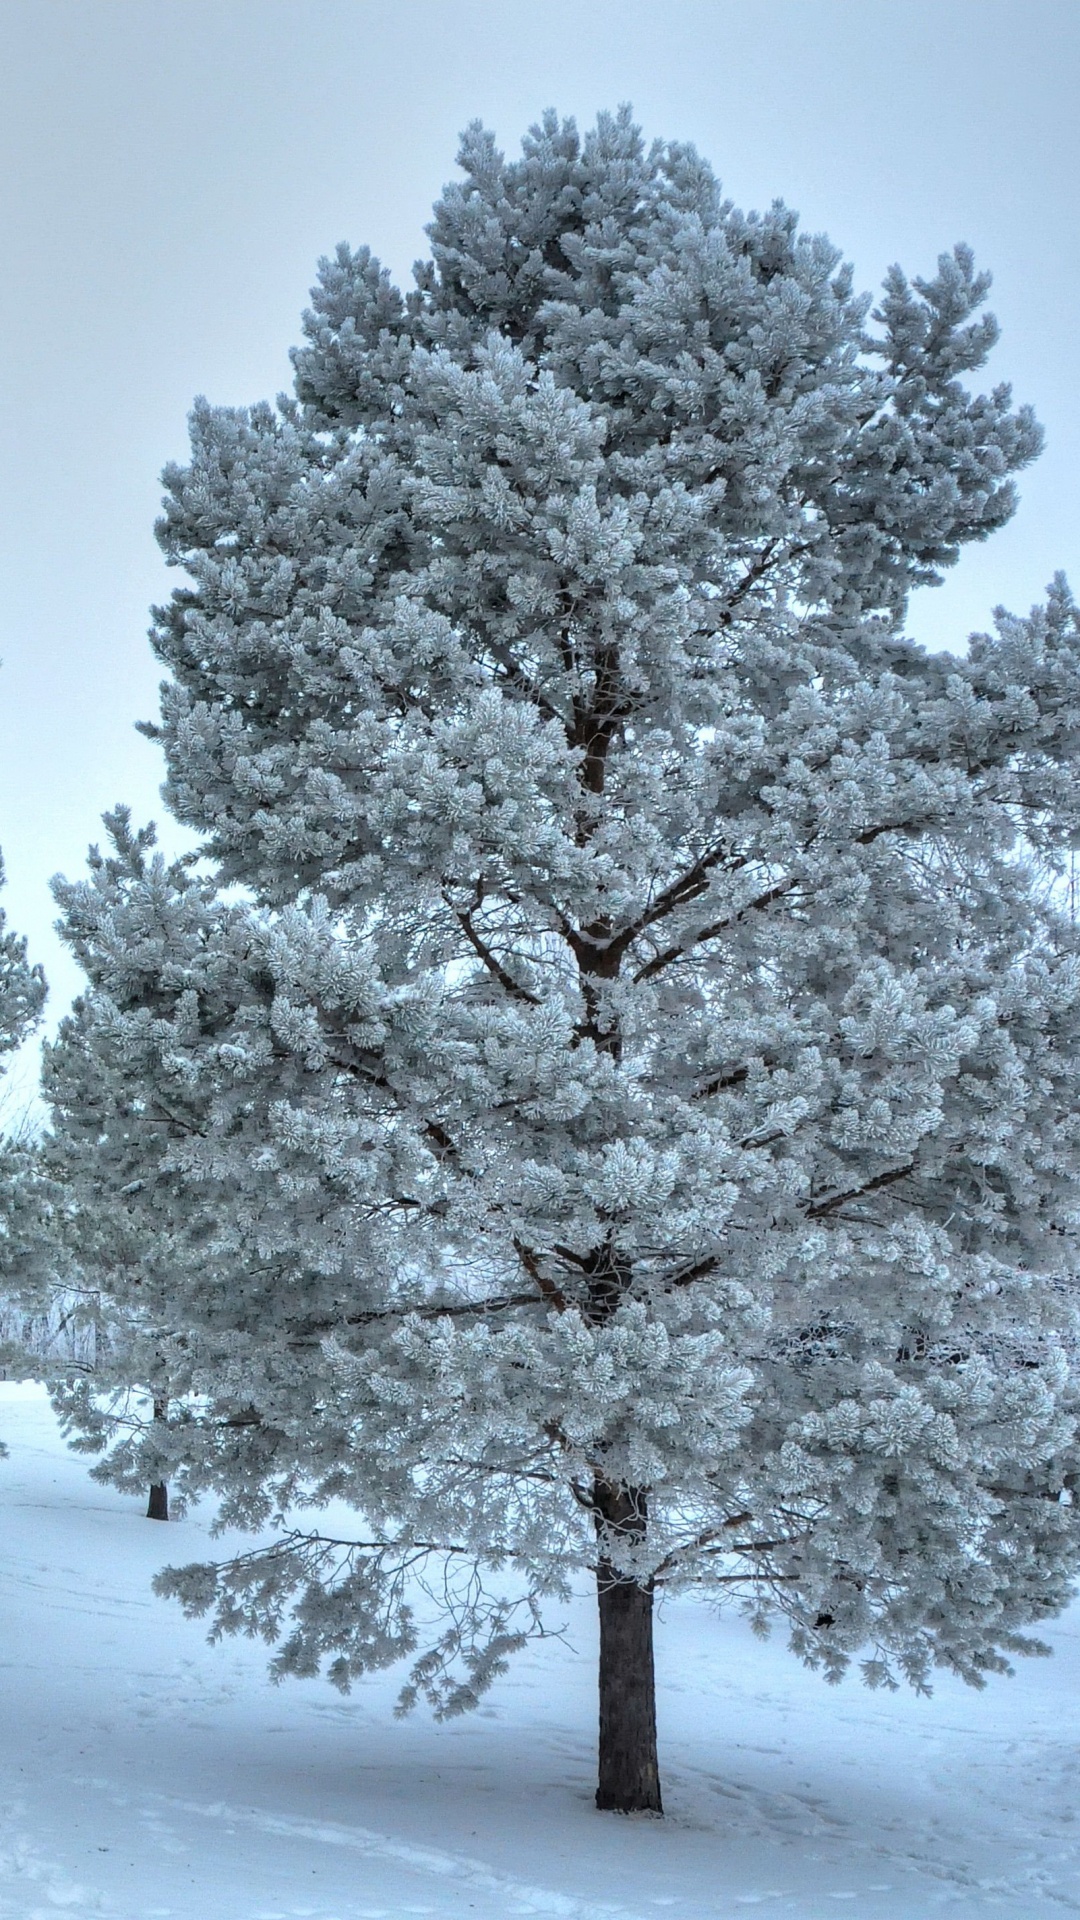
(629, 1771)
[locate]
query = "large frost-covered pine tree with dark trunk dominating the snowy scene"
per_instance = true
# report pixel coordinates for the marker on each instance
(620, 1113)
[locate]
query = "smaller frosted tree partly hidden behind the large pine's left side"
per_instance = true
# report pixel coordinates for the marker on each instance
(124, 1228)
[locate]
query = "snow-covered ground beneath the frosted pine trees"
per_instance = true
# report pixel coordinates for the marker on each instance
(145, 1775)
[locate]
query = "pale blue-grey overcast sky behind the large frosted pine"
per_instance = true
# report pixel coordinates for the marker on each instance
(172, 174)
